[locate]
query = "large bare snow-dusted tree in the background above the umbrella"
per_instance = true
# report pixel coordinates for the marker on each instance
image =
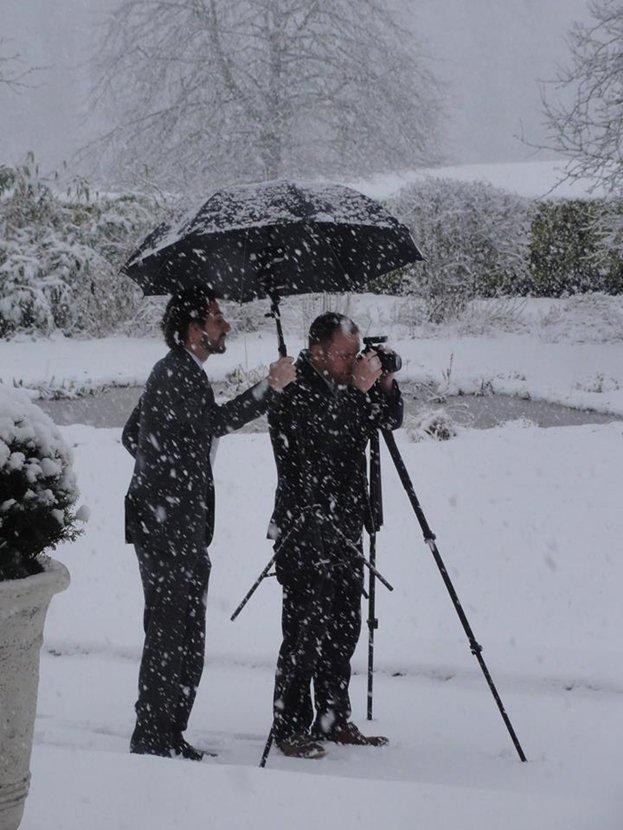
(210, 91)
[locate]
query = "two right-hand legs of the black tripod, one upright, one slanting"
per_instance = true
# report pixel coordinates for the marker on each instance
(429, 538)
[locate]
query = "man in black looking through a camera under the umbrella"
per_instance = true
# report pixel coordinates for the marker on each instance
(319, 429)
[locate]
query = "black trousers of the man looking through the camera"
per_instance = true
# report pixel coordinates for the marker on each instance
(321, 623)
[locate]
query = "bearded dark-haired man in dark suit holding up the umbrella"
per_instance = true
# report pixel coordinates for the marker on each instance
(170, 510)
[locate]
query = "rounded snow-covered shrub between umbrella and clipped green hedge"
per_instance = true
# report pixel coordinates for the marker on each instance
(474, 238)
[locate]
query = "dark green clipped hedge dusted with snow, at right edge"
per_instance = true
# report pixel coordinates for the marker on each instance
(573, 249)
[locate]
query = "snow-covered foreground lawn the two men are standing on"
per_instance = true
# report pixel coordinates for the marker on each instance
(530, 526)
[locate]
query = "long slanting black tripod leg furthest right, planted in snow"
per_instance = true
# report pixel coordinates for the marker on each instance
(429, 538)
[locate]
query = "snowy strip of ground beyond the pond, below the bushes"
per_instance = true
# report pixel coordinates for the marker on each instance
(562, 351)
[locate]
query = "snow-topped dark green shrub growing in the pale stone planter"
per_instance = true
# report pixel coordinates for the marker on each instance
(38, 490)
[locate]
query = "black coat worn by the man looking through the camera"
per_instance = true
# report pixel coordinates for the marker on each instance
(319, 434)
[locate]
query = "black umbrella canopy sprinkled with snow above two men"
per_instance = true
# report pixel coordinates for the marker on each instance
(249, 241)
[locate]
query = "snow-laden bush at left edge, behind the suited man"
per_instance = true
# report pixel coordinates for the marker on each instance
(60, 256)
